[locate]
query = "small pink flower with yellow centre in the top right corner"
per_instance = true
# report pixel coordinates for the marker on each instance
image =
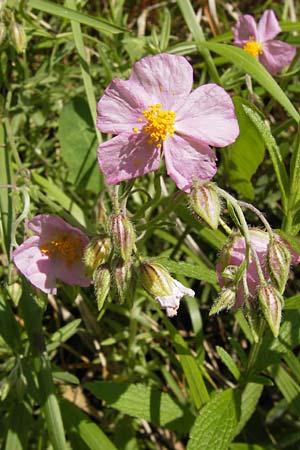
(258, 40)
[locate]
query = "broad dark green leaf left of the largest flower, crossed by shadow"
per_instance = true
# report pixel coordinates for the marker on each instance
(79, 145)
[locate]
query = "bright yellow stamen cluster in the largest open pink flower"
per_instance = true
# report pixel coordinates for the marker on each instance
(159, 126)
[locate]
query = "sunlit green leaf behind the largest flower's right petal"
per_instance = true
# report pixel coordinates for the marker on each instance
(243, 157)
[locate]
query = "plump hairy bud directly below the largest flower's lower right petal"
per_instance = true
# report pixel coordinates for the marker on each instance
(206, 204)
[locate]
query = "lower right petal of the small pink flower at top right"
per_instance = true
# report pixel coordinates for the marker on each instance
(277, 55)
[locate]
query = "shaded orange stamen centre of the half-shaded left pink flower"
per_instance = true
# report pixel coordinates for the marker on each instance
(68, 247)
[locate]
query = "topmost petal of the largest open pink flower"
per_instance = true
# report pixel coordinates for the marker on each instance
(167, 79)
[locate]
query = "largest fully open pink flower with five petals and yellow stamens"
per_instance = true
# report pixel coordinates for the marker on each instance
(155, 110)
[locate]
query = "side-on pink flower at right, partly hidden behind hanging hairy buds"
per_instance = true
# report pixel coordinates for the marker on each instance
(233, 255)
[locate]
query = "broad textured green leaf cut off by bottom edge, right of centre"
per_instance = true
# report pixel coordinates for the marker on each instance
(215, 426)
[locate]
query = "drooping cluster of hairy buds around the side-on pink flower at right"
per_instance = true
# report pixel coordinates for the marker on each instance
(245, 284)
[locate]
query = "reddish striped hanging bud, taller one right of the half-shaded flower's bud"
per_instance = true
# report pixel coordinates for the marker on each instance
(123, 235)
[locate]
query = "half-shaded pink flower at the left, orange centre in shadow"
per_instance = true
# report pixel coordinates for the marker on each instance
(54, 252)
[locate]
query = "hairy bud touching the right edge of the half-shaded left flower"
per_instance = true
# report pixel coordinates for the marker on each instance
(97, 253)
